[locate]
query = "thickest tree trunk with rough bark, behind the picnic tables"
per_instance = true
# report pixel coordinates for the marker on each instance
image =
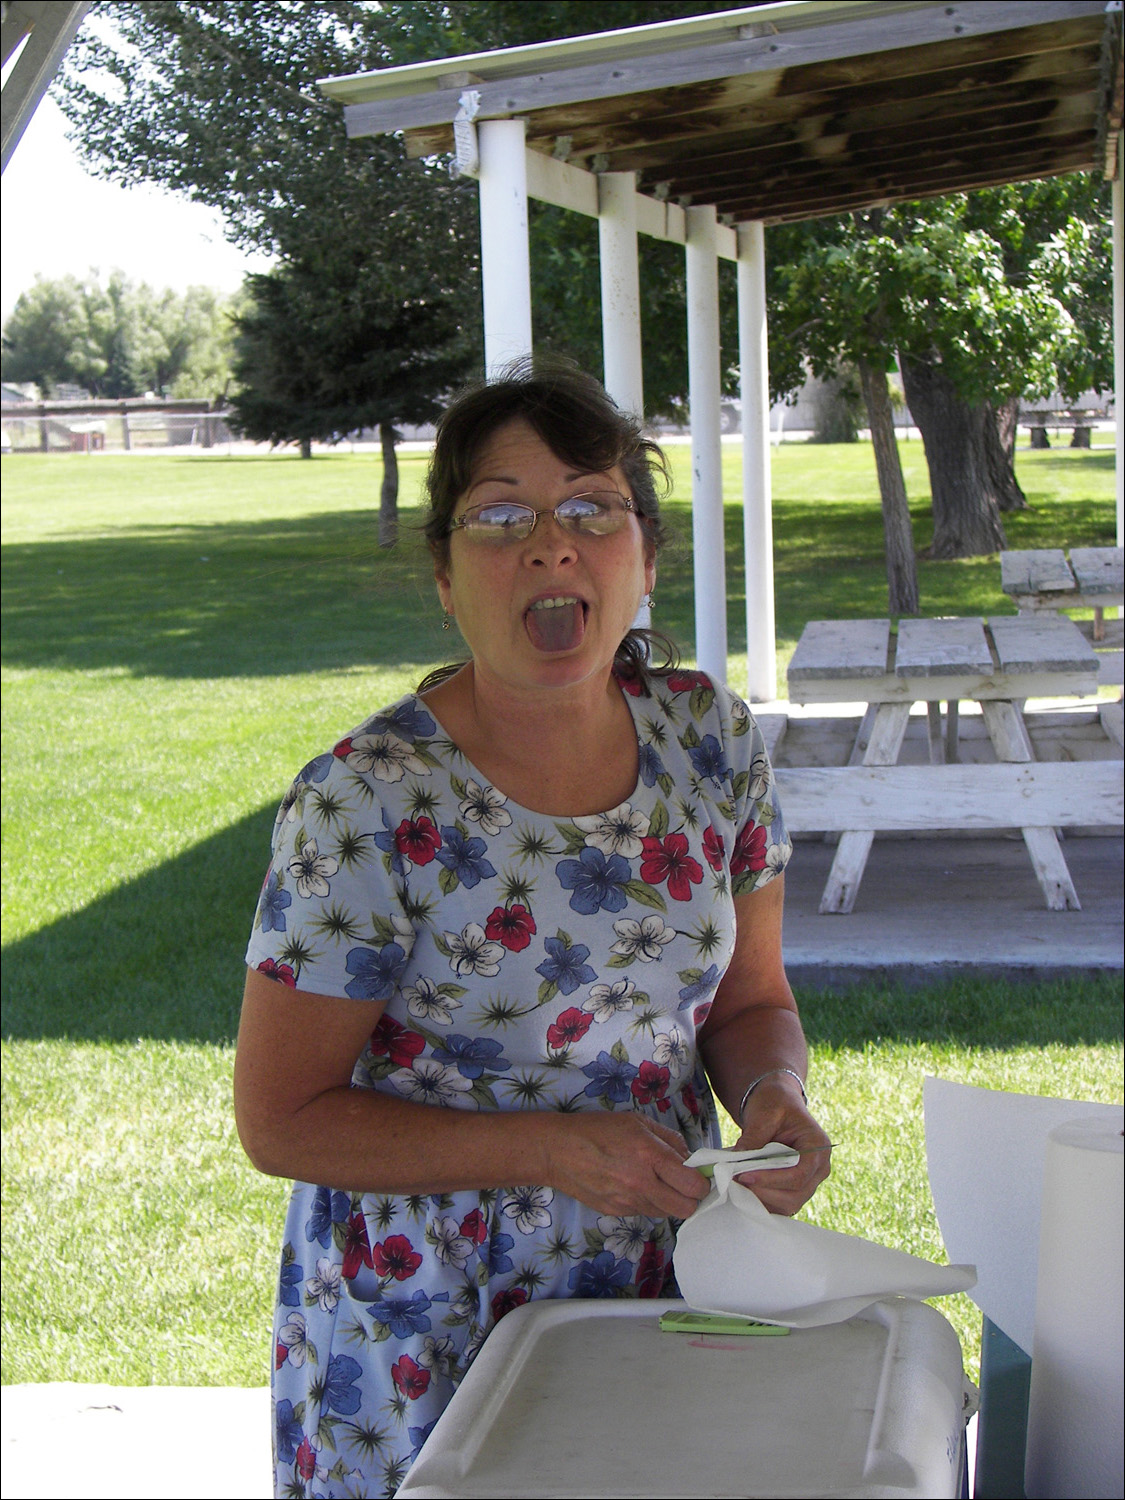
(967, 514)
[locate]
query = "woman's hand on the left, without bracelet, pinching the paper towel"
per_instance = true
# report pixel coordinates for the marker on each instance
(622, 1165)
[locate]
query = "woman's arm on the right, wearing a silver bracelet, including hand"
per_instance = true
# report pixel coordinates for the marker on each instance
(754, 1033)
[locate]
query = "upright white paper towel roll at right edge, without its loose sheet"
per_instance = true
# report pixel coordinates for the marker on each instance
(1075, 1417)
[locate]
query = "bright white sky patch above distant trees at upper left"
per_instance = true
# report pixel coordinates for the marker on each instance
(59, 221)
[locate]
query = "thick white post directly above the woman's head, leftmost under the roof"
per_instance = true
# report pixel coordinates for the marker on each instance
(505, 256)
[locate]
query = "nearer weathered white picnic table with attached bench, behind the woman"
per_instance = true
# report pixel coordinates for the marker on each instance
(1000, 664)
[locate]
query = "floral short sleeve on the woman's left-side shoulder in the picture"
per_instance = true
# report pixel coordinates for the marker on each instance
(331, 914)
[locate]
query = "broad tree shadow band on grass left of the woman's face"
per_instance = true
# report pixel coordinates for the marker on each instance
(236, 599)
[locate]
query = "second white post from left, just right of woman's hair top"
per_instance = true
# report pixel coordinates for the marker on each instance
(620, 290)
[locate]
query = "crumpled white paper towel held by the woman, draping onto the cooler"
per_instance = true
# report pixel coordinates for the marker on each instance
(734, 1256)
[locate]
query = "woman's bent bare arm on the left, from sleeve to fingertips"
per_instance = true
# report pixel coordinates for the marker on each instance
(299, 1117)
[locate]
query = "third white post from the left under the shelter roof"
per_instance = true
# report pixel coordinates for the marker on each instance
(704, 377)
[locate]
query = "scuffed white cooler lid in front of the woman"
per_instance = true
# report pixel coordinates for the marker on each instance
(592, 1399)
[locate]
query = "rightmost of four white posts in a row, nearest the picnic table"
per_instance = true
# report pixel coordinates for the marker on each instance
(758, 527)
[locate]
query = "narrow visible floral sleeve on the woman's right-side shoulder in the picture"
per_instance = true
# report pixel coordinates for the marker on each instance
(761, 847)
